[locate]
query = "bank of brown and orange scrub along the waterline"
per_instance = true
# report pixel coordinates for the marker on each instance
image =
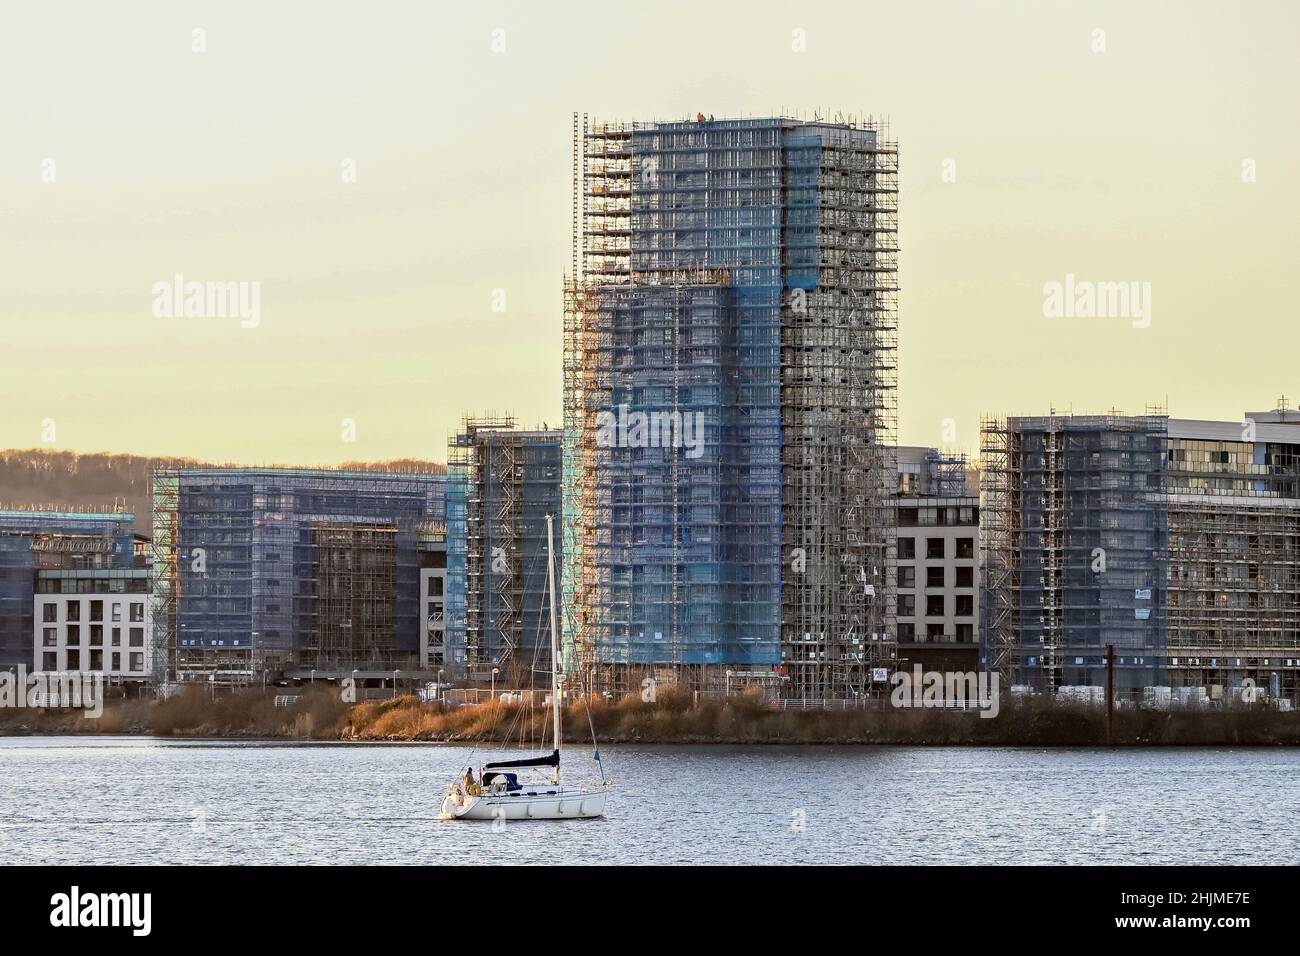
(674, 719)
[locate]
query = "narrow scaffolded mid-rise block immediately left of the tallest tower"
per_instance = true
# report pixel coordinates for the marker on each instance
(512, 482)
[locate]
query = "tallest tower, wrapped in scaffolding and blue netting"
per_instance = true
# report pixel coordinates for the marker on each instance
(739, 276)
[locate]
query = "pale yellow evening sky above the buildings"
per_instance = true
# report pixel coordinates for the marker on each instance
(396, 180)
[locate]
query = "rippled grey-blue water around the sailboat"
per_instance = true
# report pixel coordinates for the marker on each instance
(137, 801)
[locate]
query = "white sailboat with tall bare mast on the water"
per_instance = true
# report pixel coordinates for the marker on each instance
(502, 790)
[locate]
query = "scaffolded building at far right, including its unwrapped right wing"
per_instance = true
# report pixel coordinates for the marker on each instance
(1176, 542)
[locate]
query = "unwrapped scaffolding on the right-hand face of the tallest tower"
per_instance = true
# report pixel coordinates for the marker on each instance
(839, 408)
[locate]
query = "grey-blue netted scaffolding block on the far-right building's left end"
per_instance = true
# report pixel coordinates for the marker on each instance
(1076, 537)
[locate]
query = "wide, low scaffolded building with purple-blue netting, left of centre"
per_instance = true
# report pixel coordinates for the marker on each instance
(278, 570)
